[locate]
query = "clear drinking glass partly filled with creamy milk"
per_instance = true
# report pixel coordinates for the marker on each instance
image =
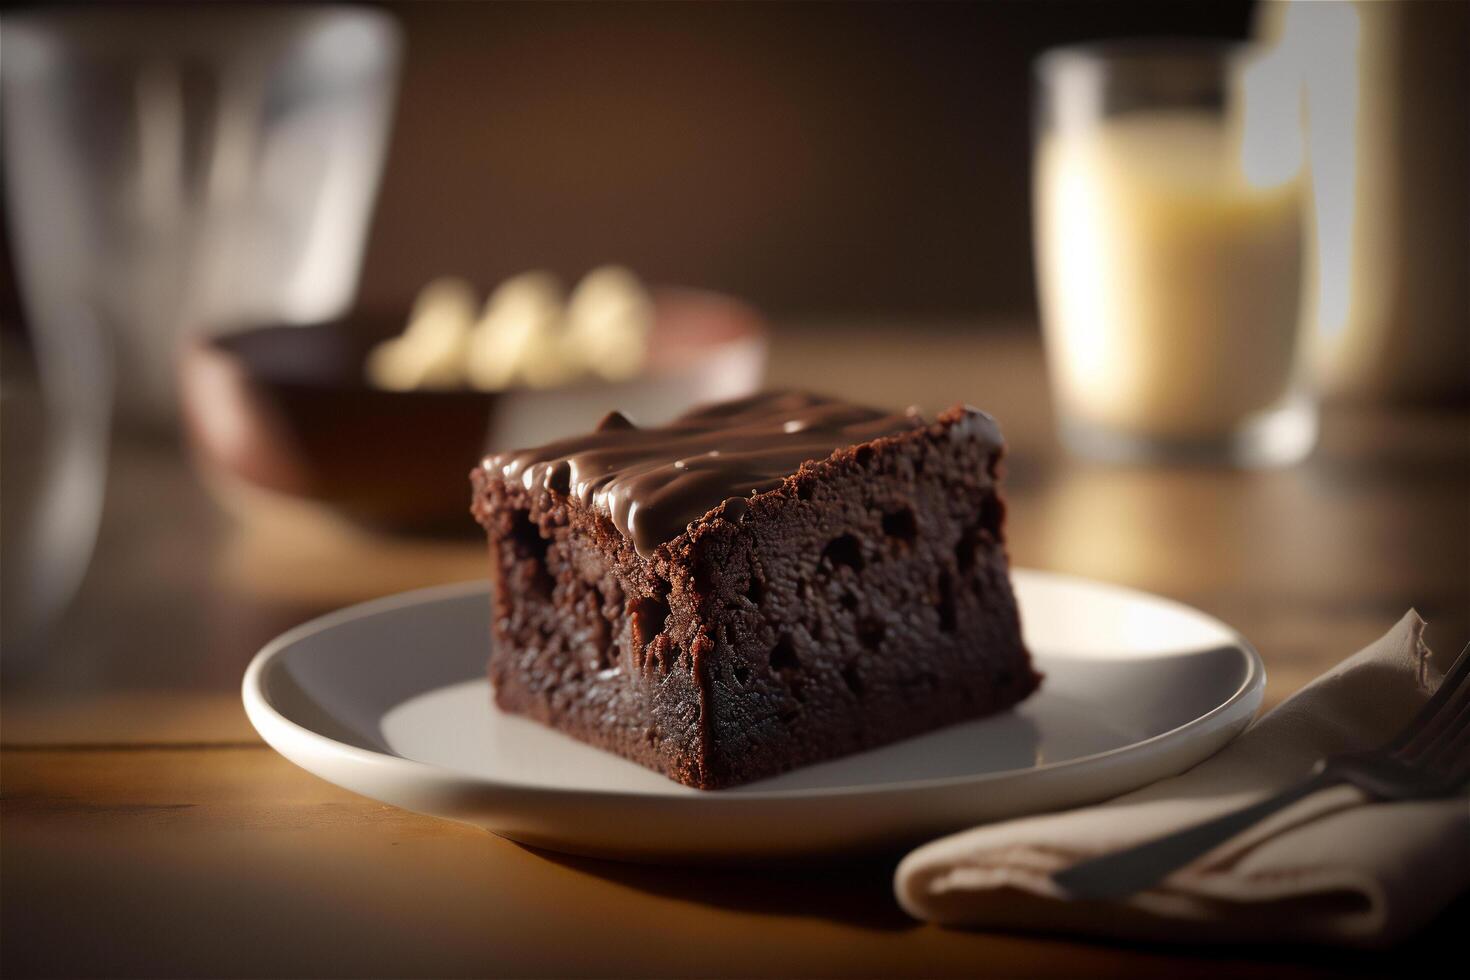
(1169, 252)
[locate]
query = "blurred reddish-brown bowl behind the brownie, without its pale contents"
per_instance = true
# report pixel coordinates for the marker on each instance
(289, 412)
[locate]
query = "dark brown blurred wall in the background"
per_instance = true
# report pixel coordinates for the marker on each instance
(836, 158)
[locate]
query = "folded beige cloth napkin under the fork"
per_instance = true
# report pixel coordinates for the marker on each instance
(1335, 868)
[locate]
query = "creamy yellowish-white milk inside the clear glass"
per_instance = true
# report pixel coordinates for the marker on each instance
(1169, 273)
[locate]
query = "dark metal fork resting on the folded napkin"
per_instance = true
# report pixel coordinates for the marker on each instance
(1430, 759)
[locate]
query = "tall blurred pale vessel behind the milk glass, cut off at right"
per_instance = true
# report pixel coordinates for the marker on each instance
(1388, 99)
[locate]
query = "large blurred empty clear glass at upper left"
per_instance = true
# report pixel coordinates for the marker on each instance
(190, 167)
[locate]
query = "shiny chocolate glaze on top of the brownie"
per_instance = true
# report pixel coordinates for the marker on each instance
(655, 483)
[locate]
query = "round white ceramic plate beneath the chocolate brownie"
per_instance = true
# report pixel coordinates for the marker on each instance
(389, 700)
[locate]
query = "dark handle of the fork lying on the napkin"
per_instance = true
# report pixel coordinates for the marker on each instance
(1124, 873)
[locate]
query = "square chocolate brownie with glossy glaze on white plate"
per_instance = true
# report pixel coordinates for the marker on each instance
(759, 586)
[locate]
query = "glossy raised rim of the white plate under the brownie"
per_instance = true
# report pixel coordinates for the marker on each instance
(276, 728)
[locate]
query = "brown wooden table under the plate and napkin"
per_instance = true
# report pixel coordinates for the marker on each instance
(148, 831)
